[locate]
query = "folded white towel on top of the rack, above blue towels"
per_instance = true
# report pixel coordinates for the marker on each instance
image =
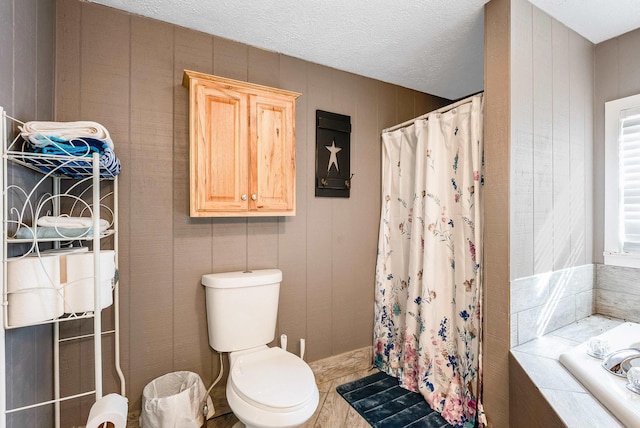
(67, 130)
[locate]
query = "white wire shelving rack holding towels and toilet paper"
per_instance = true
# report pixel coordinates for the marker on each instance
(86, 196)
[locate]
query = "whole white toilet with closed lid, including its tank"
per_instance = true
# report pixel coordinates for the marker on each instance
(267, 387)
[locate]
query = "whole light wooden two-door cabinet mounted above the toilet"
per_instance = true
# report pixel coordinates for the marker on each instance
(242, 148)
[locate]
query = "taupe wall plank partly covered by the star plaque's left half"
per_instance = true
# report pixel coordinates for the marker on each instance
(319, 228)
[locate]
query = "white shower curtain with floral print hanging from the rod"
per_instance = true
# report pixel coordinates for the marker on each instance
(428, 297)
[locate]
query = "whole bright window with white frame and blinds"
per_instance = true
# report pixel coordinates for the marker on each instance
(622, 182)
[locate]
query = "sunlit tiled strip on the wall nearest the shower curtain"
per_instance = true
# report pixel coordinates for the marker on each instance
(543, 303)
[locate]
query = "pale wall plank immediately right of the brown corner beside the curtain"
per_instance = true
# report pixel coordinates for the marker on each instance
(522, 233)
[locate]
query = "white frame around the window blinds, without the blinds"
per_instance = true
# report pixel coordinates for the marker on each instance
(613, 239)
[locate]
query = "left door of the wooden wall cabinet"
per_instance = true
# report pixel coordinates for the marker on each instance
(219, 179)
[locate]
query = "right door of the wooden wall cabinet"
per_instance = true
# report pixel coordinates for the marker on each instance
(272, 149)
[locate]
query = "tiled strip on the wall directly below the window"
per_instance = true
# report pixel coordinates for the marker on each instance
(618, 292)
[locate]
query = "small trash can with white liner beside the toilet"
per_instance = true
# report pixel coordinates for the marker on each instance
(175, 400)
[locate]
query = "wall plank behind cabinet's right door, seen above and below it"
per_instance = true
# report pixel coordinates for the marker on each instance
(262, 233)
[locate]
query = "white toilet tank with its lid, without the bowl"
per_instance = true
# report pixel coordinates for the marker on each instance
(242, 308)
